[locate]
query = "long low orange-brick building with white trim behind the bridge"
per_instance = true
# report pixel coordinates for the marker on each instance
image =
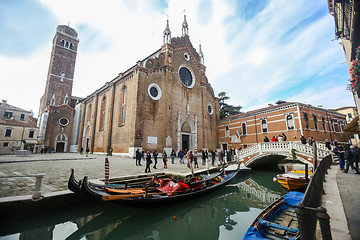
(291, 118)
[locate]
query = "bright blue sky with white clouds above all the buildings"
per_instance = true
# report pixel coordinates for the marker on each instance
(257, 51)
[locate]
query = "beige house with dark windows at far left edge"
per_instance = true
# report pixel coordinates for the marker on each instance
(18, 130)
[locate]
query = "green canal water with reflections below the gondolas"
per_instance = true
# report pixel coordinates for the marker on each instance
(224, 214)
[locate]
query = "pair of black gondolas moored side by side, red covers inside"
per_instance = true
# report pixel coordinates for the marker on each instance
(157, 191)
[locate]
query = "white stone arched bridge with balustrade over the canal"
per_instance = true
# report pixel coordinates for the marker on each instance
(260, 151)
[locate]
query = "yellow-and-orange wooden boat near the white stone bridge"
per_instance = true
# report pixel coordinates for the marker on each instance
(294, 180)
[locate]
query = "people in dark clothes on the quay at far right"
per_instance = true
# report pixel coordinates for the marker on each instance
(348, 156)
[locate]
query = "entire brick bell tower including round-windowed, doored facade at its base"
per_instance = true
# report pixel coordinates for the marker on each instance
(57, 105)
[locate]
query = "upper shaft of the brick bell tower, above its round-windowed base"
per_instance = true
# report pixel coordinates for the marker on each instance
(60, 76)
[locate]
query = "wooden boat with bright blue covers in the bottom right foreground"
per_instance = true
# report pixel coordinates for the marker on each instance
(278, 220)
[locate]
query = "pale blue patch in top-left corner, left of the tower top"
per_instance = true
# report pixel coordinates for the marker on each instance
(25, 26)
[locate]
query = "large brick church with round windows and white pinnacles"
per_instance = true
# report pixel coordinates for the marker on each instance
(164, 102)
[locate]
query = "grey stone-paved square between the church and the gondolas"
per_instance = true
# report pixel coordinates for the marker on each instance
(56, 168)
